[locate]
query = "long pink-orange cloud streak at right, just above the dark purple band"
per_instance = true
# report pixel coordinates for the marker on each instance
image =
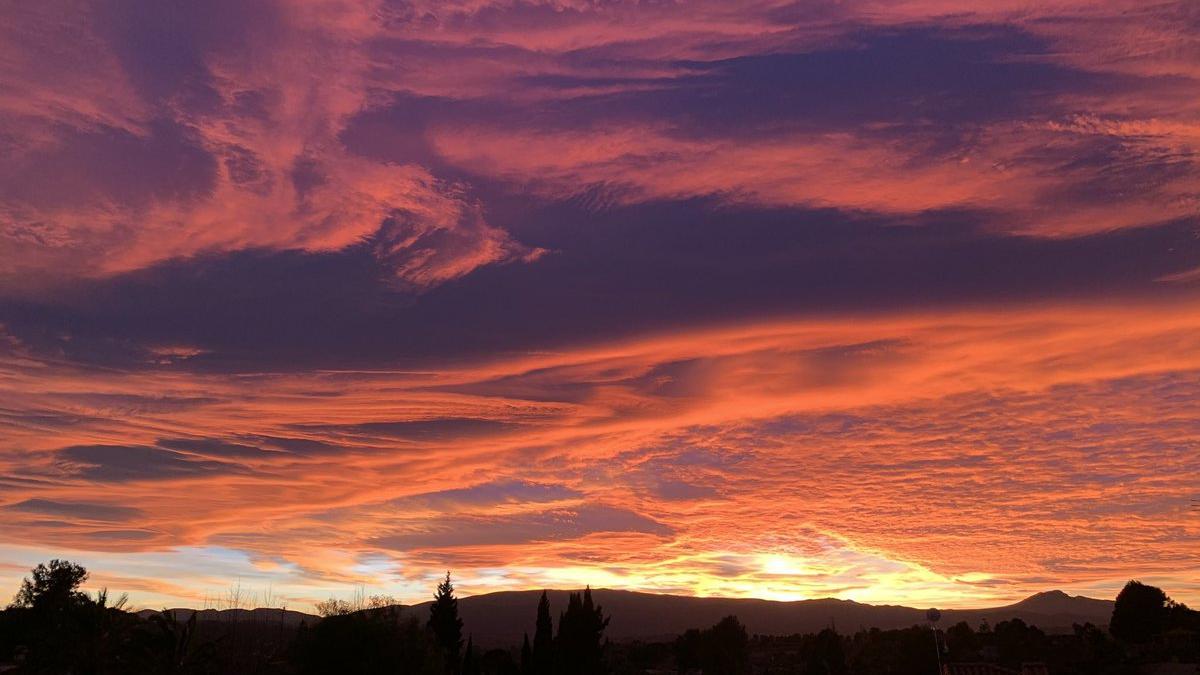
(1023, 175)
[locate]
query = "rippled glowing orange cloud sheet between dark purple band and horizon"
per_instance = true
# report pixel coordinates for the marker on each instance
(905, 457)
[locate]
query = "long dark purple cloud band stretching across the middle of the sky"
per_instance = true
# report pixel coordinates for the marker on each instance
(297, 312)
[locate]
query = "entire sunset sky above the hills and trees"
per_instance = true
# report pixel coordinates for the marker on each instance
(897, 302)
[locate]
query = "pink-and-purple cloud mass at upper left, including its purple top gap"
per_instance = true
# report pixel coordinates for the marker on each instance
(225, 152)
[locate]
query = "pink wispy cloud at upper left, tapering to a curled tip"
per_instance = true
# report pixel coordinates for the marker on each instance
(278, 112)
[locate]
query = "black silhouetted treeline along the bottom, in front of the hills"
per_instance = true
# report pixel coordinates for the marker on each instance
(53, 628)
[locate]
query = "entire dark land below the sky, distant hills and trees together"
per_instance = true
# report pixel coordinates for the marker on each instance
(55, 628)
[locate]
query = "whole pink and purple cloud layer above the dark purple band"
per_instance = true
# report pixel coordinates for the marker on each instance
(236, 130)
